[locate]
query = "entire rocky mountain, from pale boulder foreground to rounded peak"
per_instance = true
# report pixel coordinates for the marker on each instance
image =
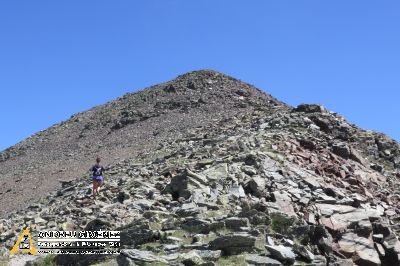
(208, 170)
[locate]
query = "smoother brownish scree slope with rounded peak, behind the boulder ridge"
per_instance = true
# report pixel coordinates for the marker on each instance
(133, 124)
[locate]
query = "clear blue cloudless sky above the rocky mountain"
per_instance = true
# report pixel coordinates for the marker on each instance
(58, 58)
